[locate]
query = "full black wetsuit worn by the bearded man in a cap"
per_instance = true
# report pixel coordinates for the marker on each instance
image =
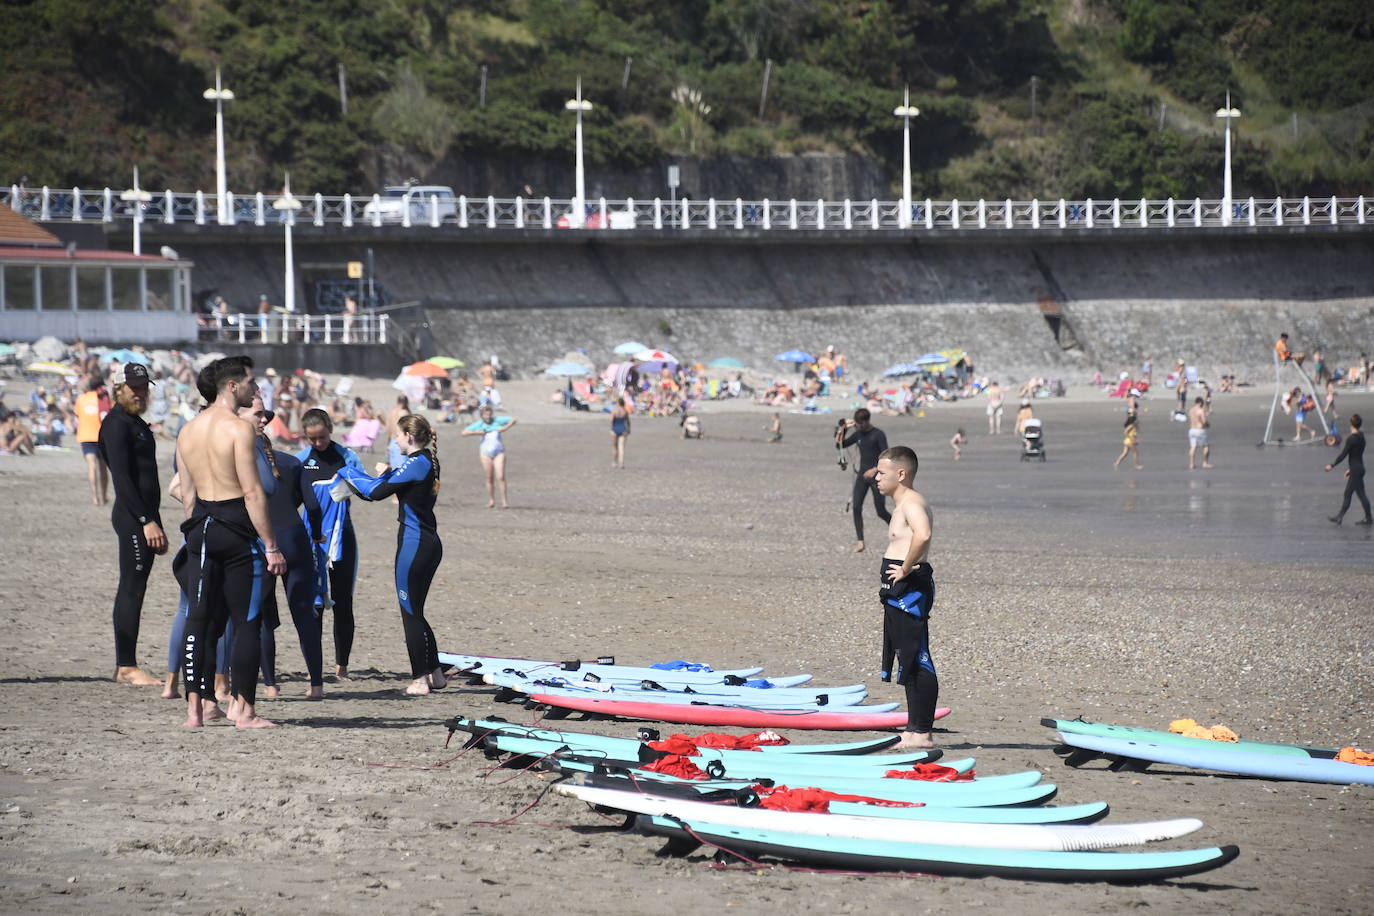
(130, 450)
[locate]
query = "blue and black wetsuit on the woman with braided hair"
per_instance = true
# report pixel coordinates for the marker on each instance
(418, 549)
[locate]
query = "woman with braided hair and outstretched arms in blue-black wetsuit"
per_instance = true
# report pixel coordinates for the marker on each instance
(418, 547)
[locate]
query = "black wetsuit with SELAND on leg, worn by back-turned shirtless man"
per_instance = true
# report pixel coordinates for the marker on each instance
(227, 576)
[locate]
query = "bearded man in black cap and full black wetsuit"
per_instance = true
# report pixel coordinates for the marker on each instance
(130, 451)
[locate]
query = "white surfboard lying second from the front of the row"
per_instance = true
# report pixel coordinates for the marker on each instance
(1063, 838)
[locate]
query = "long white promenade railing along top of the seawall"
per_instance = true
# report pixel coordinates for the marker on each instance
(199, 208)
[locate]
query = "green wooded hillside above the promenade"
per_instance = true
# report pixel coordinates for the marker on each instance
(1019, 98)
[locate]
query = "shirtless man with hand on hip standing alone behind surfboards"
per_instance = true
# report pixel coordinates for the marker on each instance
(908, 593)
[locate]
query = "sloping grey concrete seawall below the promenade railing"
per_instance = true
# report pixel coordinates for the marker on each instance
(1053, 304)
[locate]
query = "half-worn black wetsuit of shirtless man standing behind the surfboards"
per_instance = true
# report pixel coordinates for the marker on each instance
(906, 641)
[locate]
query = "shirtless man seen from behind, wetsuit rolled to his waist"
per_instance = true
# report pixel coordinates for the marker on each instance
(230, 529)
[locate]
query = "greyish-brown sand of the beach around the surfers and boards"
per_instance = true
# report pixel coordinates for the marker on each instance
(1066, 588)
